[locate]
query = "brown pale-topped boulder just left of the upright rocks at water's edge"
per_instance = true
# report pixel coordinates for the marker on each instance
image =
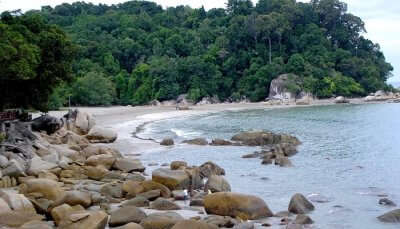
(173, 179)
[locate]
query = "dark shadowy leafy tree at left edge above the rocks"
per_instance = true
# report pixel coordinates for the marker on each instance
(35, 57)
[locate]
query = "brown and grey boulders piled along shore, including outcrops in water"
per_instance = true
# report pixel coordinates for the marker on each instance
(73, 179)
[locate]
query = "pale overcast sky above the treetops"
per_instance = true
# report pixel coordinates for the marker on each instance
(382, 18)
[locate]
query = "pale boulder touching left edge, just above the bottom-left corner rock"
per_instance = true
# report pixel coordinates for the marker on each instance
(15, 202)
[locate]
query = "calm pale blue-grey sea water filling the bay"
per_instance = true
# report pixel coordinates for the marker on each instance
(350, 155)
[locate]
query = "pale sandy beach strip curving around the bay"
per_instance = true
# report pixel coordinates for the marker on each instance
(131, 121)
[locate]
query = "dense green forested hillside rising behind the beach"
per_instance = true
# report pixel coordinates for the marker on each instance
(135, 52)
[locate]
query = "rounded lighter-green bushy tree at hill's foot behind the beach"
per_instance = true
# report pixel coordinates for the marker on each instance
(93, 89)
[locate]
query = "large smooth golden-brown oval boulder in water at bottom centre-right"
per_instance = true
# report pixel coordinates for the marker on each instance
(246, 207)
